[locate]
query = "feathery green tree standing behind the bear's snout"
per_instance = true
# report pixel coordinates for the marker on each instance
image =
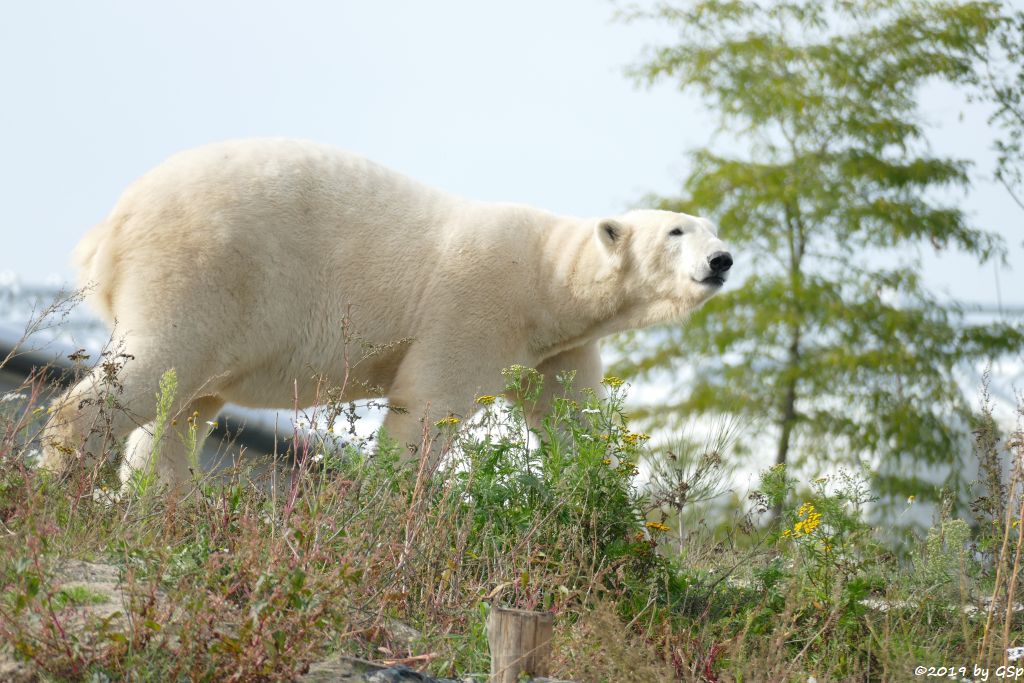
(828, 177)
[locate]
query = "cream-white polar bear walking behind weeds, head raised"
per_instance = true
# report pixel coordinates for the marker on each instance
(238, 264)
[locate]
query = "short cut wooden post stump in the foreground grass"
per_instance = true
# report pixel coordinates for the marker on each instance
(521, 643)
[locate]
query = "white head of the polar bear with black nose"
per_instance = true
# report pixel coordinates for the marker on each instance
(665, 265)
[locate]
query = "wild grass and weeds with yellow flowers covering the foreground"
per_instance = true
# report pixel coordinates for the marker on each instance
(358, 554)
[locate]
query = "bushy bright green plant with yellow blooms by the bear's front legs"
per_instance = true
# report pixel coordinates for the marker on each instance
(576, 490)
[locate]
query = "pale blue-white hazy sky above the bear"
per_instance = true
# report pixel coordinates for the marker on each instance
(522, 102)
